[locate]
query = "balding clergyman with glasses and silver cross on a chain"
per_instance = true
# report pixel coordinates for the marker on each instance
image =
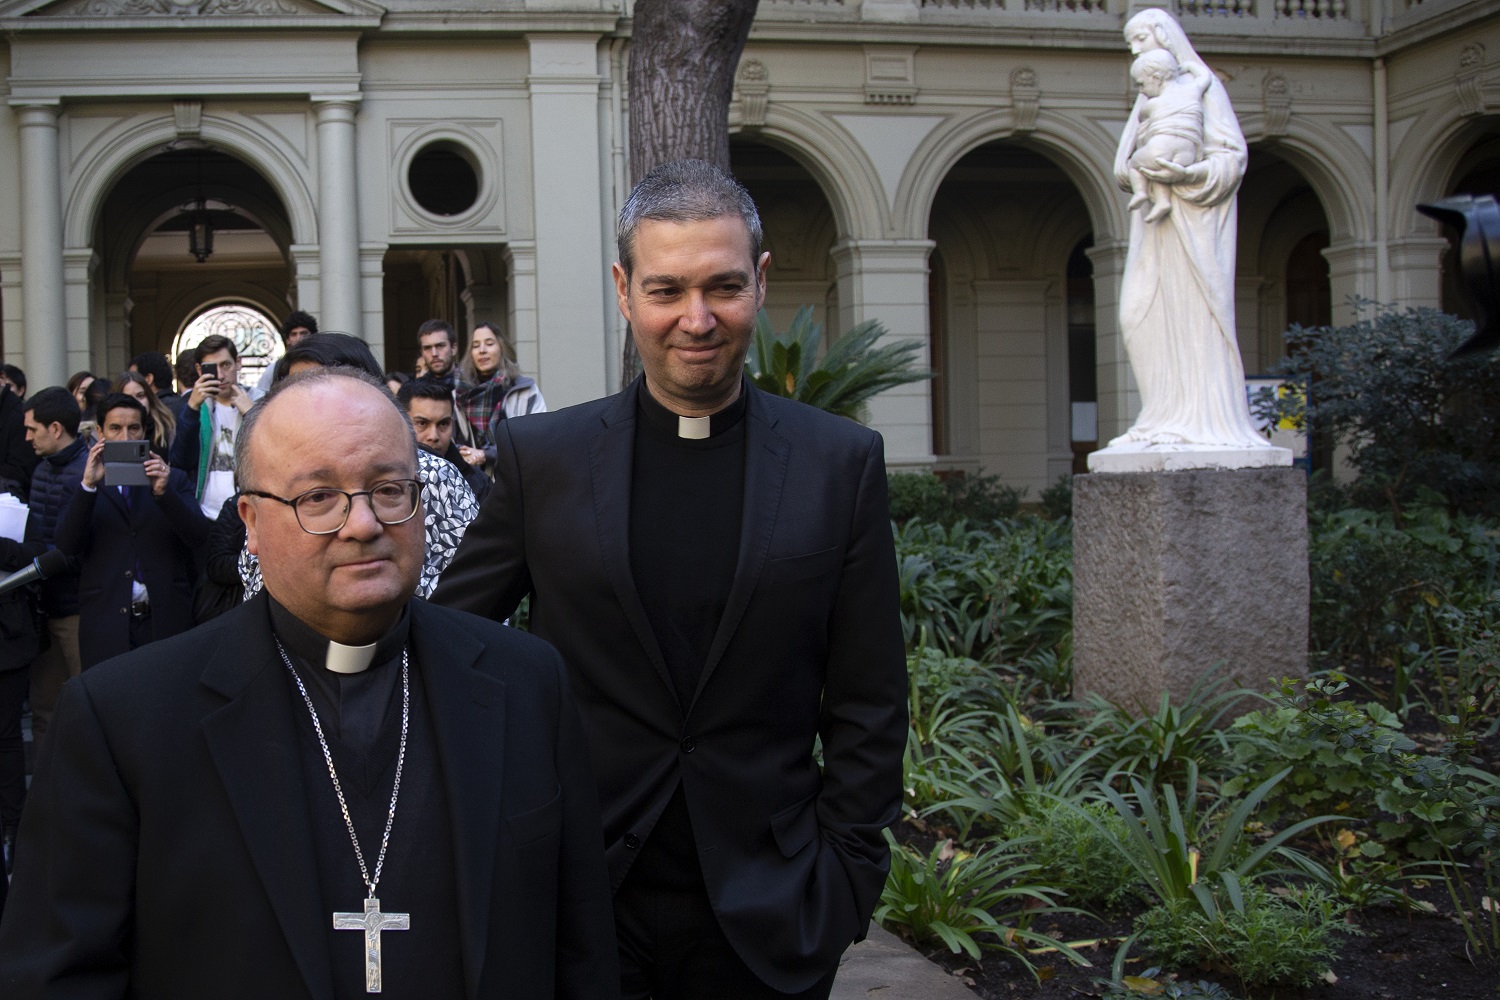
(329, 791)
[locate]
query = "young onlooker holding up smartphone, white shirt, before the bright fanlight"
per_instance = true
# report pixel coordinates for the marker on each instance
(211, 422)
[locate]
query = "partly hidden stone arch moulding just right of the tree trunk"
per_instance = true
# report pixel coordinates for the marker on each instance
(829, 154)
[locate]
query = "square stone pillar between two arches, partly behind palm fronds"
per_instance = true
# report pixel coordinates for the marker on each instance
(887, 281)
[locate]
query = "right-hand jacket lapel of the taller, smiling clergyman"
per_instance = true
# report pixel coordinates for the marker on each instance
(767, 455)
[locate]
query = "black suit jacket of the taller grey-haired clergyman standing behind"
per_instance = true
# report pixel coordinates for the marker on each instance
(809, 647)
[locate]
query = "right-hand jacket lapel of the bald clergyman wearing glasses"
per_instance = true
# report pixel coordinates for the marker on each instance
(469, 726)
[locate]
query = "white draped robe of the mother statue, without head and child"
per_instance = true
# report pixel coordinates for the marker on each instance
(1178, 299)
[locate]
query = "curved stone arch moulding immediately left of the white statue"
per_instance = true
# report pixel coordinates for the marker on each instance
(1084, 154)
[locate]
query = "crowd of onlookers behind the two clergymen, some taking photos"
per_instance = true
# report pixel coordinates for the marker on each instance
(166, 549)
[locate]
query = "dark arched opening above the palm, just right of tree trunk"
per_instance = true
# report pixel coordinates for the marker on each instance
(800, 233)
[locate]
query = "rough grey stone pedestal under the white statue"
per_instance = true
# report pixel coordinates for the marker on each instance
(1178, 572)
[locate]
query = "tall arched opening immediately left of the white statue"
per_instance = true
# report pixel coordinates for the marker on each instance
(1010, 299)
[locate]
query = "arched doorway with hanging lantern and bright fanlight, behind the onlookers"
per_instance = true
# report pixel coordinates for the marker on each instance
(179, 233)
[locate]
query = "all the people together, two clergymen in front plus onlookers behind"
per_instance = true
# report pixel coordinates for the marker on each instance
(353, 777)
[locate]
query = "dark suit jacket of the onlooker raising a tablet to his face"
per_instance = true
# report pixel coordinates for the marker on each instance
(110, 537)
